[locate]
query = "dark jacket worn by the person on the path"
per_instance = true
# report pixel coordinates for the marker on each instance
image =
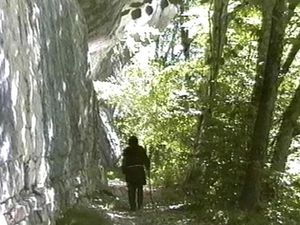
(134, 161)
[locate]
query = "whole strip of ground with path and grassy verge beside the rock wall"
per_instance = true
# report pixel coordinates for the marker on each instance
(110, 206)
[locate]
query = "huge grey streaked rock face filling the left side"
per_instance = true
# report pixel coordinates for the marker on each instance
(54, 140)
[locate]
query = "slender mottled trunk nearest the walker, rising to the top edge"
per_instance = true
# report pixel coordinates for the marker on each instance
(218, 32)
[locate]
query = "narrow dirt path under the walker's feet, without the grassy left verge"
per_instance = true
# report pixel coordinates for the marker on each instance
(115, 206)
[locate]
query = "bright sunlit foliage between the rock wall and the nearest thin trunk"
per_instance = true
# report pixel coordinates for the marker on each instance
(163, 114)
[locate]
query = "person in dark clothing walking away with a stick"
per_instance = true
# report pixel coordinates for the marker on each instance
(134, 161)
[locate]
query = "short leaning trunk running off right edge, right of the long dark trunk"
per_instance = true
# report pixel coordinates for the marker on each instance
(286, 133)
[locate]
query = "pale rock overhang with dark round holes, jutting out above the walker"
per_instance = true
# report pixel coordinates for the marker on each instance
(114, 25)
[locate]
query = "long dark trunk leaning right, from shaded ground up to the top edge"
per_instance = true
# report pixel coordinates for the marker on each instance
(250, 195)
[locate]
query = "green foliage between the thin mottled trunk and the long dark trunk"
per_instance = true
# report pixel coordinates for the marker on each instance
(218, 171)
